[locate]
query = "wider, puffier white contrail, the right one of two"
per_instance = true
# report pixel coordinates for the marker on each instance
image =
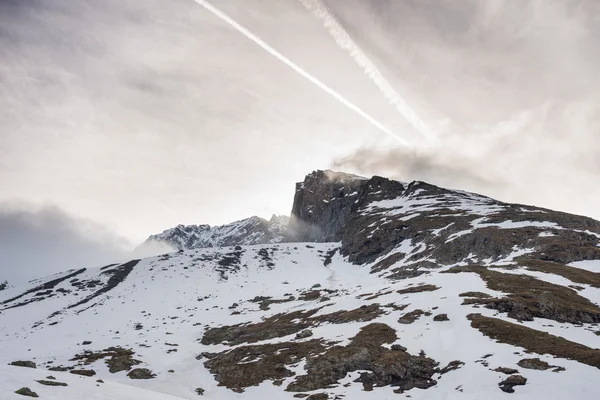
(344, 40)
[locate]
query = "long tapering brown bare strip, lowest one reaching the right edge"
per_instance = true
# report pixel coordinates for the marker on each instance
(534, 341)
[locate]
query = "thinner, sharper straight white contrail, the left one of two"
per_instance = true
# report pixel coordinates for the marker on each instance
(299, 70)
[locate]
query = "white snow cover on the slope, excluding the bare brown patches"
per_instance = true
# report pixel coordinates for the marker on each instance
(176, 297)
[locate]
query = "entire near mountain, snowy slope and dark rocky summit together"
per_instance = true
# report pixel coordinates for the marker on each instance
(378, 289)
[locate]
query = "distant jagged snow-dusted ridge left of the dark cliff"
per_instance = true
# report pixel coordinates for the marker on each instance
(249, 231)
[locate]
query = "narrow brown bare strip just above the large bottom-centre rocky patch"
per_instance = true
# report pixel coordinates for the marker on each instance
(286, 324)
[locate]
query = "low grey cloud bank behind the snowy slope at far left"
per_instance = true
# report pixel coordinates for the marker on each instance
(38, 241)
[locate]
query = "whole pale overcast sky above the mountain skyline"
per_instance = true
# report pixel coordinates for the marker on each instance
(122, 118)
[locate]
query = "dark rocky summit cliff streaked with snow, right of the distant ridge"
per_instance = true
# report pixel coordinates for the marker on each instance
(428, 226)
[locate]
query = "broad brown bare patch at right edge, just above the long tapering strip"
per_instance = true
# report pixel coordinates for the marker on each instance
(529, 297)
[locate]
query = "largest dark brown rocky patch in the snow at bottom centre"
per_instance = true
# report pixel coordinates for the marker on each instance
(245, 366)
